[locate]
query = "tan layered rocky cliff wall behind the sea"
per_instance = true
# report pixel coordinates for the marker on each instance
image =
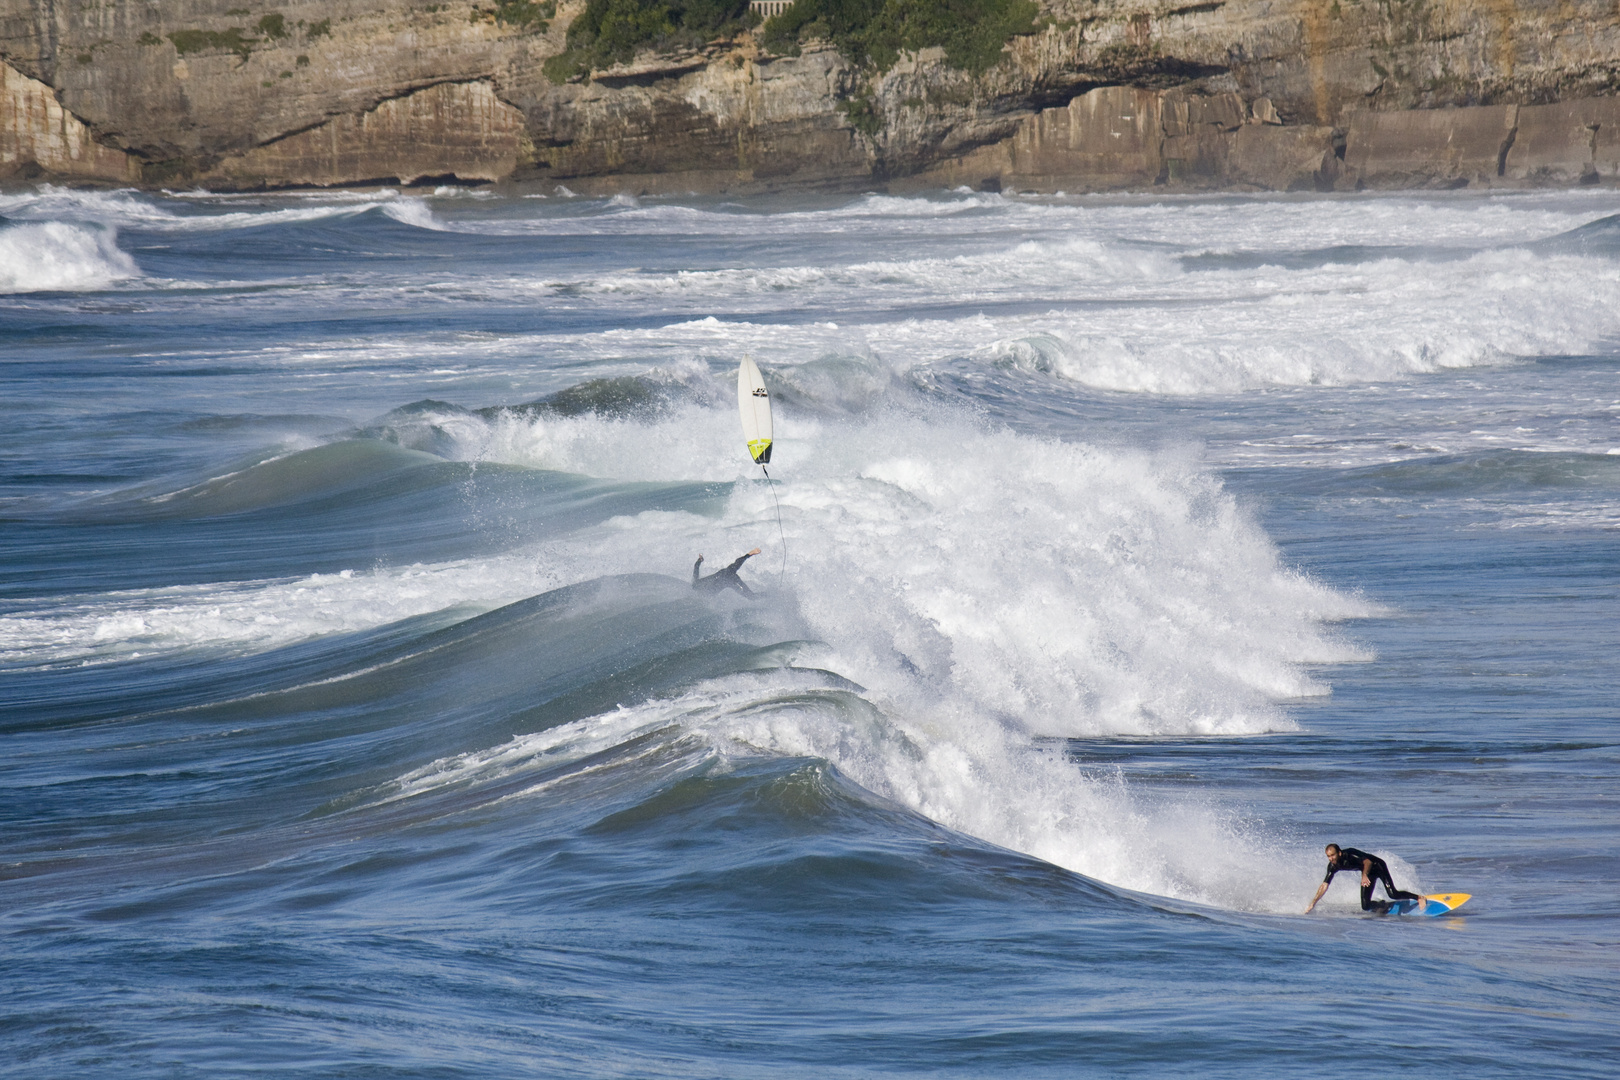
(1104, 95)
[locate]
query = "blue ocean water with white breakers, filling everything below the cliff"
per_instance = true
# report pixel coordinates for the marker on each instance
(359, 720)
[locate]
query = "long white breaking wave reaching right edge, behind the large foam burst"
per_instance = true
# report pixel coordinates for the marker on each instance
(1329, 326)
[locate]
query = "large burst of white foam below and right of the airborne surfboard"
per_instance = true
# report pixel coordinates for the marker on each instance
(1067, 589)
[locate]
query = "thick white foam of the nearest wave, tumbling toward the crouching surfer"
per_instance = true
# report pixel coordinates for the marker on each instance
(991, 783)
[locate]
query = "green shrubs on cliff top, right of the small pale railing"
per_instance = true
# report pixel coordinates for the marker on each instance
(877, 32)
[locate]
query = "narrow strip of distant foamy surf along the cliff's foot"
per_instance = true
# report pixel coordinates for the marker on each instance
(1243, 224)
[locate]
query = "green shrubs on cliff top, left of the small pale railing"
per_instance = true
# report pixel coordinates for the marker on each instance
(613, 32)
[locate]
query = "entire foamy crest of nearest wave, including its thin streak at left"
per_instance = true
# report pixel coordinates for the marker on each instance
(978, 778)
